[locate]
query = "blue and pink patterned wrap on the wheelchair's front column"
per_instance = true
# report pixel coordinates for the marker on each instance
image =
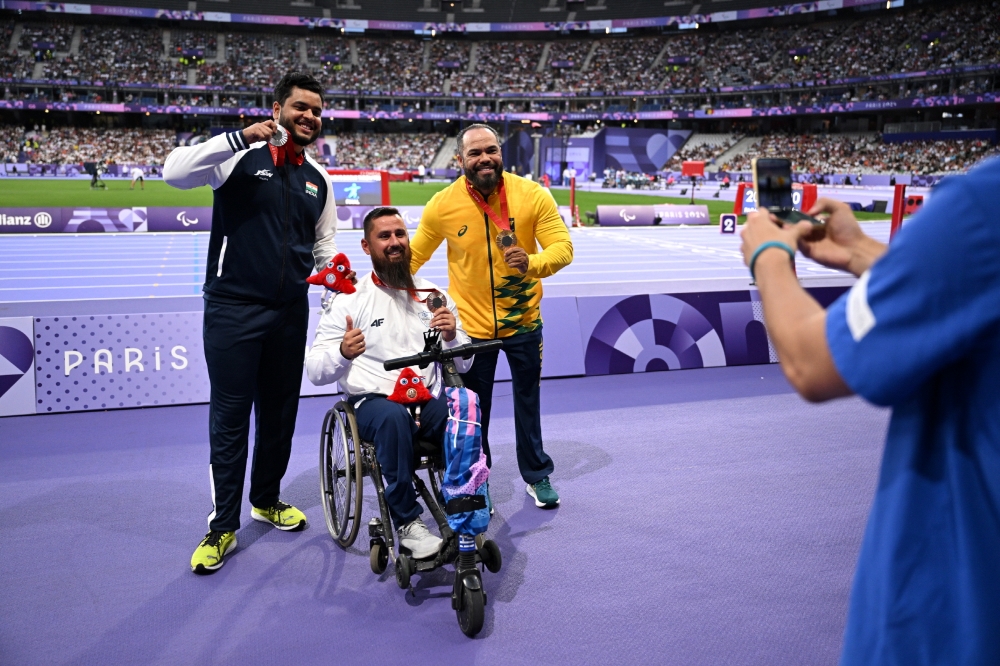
(466, 473)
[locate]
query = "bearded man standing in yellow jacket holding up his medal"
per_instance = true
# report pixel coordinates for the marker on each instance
(493, 223)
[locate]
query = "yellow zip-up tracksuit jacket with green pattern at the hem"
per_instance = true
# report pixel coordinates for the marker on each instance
(494, 300)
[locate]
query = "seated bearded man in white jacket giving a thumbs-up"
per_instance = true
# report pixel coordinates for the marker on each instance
(384, 319)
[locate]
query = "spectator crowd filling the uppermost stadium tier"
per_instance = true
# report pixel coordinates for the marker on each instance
(919, 40)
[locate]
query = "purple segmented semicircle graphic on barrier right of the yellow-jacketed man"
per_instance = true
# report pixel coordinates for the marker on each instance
(652, 332)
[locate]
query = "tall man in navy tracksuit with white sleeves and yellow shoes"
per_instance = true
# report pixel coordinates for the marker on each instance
(273, 219)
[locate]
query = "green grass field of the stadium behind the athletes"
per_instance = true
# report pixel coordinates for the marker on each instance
(34, 192)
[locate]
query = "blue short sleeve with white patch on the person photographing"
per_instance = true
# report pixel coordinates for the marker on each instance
(928, 300)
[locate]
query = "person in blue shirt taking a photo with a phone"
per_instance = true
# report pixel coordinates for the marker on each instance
(919, 332)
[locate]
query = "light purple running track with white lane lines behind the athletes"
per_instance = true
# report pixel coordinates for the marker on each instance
(157, 265)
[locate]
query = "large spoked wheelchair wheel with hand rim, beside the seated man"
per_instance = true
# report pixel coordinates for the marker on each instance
(340, 474)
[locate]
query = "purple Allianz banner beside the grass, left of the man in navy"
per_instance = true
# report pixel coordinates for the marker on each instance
(104, 220)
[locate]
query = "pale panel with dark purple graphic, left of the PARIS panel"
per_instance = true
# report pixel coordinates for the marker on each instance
(17, 369)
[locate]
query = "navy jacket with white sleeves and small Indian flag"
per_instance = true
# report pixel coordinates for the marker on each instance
(270, 225)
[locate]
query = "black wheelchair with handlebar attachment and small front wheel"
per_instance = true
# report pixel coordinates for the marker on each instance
(344, 462)
